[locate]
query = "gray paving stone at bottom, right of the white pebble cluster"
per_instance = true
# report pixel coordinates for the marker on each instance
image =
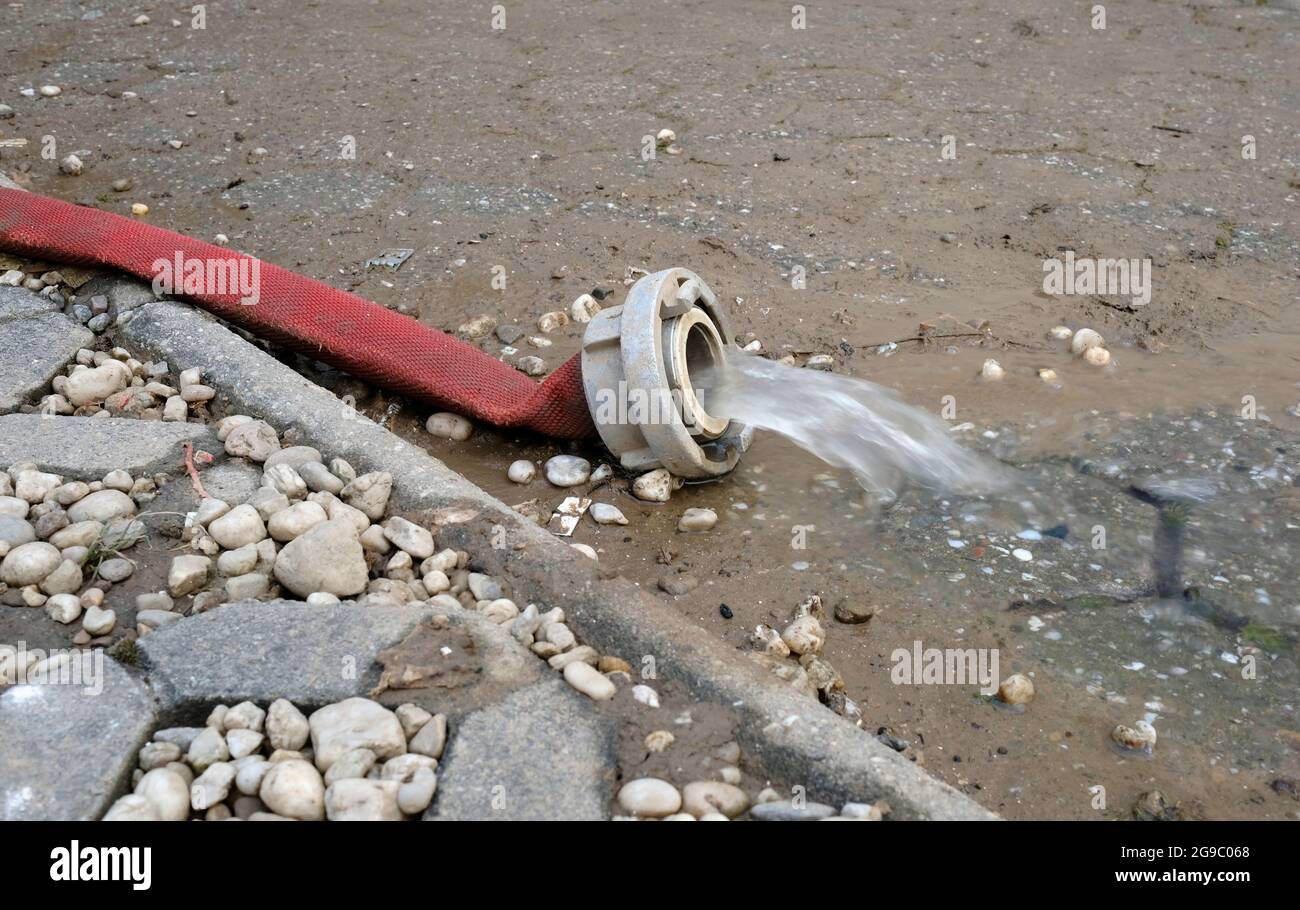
(544, 753)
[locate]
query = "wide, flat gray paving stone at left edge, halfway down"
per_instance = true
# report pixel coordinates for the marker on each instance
(89, 448)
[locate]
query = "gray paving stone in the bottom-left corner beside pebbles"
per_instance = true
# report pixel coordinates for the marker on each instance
(67, 752)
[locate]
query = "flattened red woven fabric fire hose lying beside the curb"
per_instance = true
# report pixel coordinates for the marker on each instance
(359, 337)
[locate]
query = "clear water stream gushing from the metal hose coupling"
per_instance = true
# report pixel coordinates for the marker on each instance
(850, 423)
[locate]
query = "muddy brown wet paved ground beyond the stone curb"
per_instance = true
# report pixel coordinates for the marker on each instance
(814, 194)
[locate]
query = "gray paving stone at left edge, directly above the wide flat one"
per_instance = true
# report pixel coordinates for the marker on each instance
(34, 349)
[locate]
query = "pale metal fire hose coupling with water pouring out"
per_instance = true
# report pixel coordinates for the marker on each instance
(639, 363)
